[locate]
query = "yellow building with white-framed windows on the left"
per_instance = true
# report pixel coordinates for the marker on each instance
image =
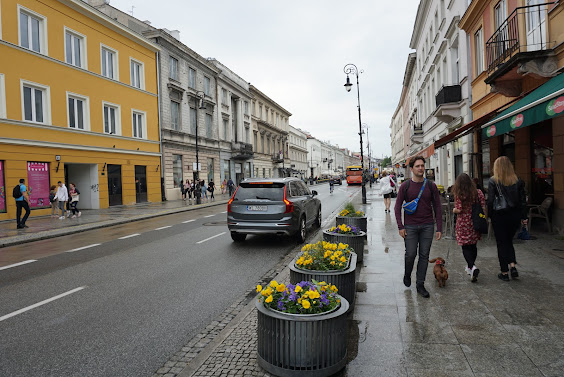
(78, 103)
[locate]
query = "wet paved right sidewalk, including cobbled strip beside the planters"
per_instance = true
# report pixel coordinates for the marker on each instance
(488, 328)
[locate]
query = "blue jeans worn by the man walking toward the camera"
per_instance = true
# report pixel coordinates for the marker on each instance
(418, 237)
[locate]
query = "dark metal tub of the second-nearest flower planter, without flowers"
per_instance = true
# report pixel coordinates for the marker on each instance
(344, 280)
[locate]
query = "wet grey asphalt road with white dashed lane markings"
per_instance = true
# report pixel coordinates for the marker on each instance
(120, 301)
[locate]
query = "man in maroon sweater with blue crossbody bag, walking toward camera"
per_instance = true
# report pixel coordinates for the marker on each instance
(420, 224)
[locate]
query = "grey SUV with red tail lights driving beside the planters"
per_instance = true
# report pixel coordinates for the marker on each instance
(278, 205)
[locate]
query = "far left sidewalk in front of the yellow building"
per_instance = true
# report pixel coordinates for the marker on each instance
(46, 227)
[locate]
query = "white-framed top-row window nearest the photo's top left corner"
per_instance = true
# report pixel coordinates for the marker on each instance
(32, 30)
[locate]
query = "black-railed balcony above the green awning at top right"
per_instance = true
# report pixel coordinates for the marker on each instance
(519, 47)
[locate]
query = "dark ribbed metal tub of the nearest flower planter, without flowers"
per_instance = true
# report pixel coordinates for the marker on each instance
(312, 345)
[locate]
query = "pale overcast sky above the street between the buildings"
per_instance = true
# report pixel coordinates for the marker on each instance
(295, 51)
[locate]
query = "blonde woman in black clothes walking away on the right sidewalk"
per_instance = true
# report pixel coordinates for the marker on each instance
(507, 188)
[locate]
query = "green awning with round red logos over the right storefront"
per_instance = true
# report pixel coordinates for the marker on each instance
(545, 102)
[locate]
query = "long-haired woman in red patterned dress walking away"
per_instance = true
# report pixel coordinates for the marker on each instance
(465, 195)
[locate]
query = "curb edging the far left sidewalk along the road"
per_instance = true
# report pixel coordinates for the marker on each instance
(18, 240)
